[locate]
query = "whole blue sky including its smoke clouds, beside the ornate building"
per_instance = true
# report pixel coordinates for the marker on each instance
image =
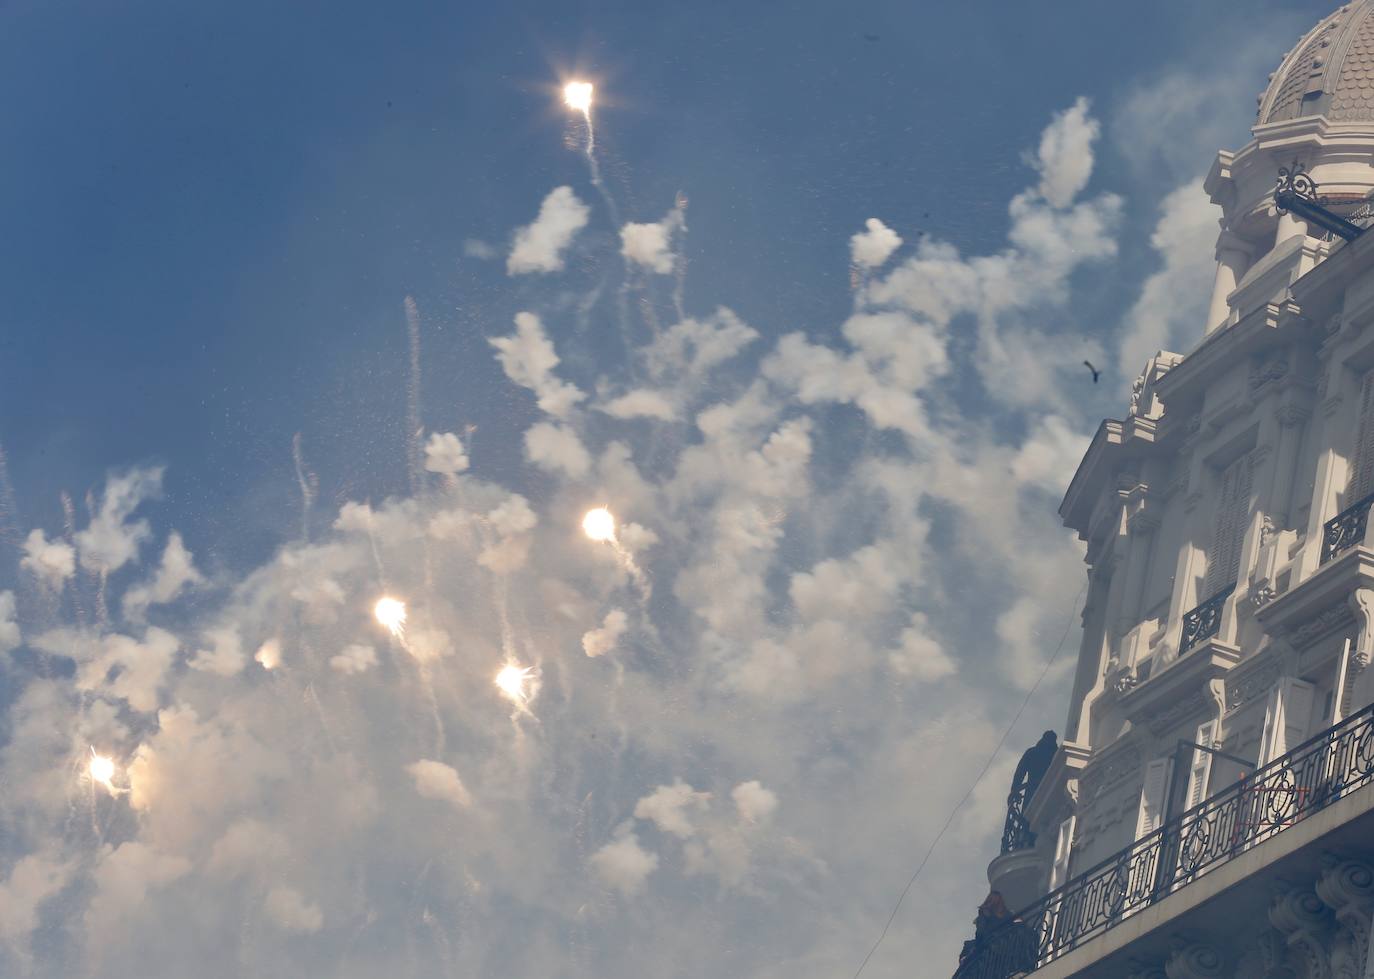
(211, 222)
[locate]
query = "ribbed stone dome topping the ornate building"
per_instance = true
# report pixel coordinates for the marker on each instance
(1329, 73)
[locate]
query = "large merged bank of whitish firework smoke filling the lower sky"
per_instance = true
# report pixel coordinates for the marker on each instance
(798, 647)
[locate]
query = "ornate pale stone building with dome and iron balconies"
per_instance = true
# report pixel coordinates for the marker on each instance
(1211, 807)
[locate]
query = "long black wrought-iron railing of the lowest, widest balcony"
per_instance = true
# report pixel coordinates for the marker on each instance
(1233, 822)
